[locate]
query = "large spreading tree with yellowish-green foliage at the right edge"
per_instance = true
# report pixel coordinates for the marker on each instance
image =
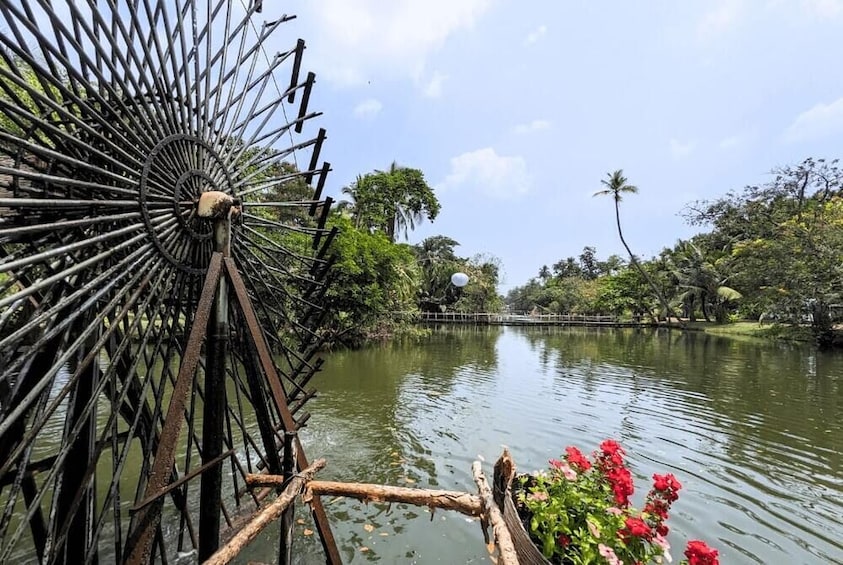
(783, 243)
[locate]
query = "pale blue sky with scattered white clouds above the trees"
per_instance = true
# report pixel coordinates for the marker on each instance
(516, 110)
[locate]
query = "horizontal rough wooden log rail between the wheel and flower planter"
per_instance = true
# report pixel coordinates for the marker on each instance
(463, 502)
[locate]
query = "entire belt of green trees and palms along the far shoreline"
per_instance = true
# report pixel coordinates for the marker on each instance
(767, 263)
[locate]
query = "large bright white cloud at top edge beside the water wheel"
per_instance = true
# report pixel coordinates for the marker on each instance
(350, 43)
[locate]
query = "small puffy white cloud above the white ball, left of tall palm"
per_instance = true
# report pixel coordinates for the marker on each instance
(493, 175)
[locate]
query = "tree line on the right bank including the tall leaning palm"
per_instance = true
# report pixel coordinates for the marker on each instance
(773, 251)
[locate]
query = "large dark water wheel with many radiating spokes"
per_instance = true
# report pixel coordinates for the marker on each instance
(162, 241)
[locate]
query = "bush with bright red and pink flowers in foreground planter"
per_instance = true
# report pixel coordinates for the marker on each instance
(579, 512)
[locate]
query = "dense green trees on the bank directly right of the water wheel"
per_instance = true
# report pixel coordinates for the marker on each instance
(378, 283)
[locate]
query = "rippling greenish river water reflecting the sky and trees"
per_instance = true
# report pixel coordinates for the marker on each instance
(753, 429)
